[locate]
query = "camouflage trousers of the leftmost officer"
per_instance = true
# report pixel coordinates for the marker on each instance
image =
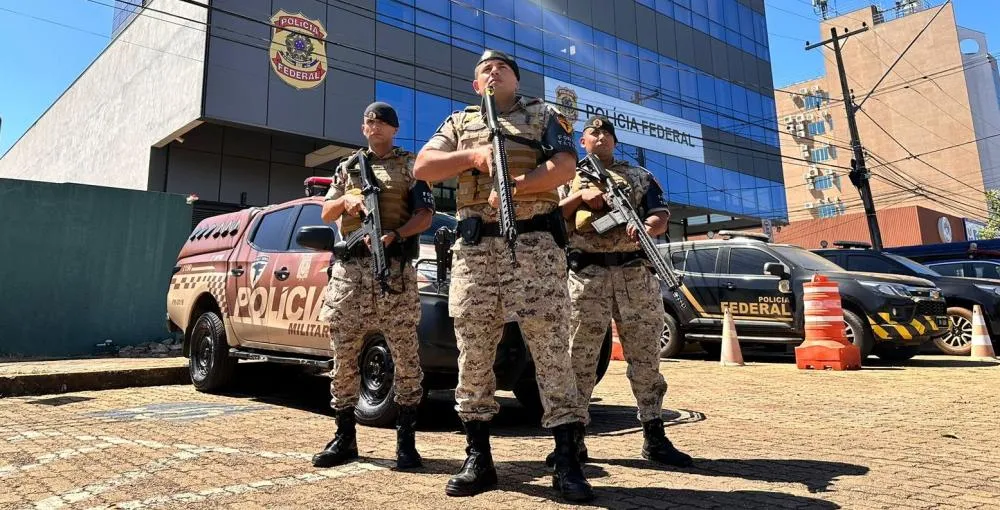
(356, 311)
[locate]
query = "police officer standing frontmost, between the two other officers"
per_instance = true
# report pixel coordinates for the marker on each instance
(487, 290)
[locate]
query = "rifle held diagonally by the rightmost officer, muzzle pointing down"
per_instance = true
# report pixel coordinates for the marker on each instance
(622, 212)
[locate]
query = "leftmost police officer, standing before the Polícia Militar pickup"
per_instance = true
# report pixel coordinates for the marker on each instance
(354, 303)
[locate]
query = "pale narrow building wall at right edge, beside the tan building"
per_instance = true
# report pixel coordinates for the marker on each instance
(984, 96)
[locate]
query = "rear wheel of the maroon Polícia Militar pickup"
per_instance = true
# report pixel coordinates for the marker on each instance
(210, 366)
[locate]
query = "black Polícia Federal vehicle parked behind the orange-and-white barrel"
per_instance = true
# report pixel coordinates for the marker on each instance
(761, 285)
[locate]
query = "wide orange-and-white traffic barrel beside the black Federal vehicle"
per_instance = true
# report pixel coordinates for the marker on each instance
(825, 345)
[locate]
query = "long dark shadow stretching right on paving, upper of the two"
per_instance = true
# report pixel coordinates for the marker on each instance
(816, 475)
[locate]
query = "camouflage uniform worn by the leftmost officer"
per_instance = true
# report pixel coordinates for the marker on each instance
(354, 304)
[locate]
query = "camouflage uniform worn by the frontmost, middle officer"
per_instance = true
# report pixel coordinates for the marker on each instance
(487, 291)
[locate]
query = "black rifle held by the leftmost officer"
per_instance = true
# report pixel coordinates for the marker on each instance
(371, 223)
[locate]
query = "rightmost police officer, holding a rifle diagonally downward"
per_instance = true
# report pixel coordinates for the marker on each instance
(609, 278)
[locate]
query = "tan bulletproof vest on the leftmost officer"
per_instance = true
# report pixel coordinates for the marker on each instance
(394, 181)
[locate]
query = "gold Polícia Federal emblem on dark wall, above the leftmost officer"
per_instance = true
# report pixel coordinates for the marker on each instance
(298, 49)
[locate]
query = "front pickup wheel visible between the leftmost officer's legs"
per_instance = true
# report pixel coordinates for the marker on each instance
(376, 406)
